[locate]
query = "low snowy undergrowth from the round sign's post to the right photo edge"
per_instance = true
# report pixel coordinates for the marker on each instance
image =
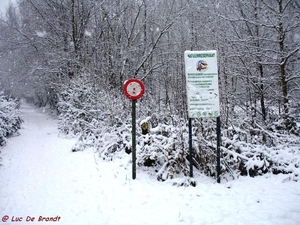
(166, 147)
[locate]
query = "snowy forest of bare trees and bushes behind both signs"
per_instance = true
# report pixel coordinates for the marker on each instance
(73, 57)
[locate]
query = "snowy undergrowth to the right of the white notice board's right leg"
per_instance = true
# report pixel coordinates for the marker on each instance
(255, 148)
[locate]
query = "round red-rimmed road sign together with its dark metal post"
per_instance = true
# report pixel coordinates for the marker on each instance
(133, 89)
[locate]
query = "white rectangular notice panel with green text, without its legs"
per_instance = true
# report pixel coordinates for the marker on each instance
(201, 69)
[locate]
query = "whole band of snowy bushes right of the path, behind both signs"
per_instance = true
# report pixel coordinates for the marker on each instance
(104, 124)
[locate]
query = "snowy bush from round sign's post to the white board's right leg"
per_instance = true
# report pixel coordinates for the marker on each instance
(166, 147)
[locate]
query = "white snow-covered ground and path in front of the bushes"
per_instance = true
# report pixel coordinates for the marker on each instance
(42, 180)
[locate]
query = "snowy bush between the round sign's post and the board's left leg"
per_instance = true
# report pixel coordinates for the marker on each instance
(164, 147)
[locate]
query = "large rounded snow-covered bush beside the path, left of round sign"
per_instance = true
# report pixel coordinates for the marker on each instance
(91, 114)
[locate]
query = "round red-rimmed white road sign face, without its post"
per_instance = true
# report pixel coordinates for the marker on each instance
(133, 89)
